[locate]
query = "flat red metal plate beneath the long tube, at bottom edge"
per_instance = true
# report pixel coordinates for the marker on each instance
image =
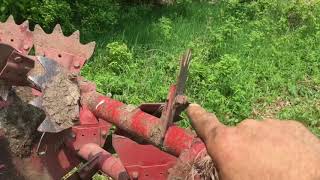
(142, 161)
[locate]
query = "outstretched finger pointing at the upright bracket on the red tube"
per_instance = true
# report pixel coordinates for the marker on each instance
(202, 121)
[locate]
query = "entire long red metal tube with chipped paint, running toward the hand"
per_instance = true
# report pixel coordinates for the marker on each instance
(139, 123)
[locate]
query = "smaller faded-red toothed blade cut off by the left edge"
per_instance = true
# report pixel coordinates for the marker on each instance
(18, 36)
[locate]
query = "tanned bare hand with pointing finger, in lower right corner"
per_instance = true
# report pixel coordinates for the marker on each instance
(258, 150)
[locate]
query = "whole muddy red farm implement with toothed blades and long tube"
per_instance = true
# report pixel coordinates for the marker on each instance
(72, 133)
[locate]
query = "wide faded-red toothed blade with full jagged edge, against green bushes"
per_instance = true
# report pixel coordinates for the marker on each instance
(67, 51)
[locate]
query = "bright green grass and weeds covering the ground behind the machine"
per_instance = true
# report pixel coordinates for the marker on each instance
(250, 60)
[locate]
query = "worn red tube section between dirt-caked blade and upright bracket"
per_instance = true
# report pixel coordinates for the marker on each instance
(125, 117)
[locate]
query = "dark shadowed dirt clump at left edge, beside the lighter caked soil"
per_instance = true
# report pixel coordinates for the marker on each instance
(19, 122)
